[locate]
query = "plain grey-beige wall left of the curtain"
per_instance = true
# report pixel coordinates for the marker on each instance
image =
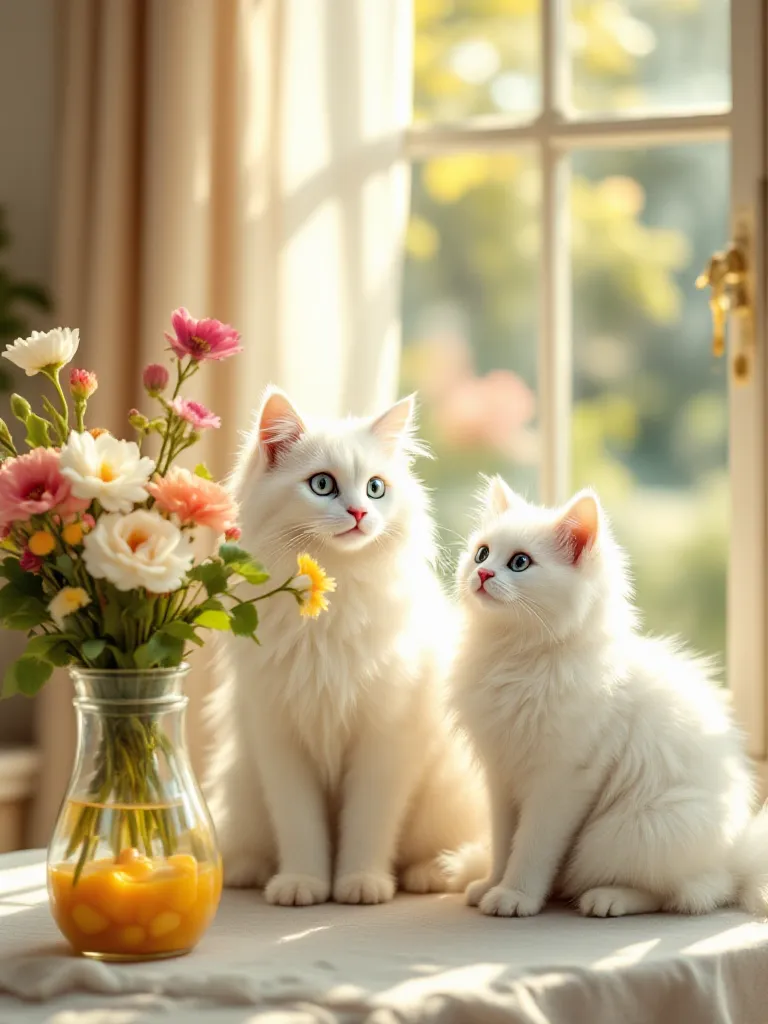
(27, 139)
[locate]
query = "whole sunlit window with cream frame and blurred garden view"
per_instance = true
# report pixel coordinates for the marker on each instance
(575, 166)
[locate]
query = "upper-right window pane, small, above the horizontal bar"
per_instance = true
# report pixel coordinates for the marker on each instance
(650, 57)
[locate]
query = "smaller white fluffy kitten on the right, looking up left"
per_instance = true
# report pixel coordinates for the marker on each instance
(617, 778)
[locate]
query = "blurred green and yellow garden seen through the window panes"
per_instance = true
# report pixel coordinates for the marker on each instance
(650, 418)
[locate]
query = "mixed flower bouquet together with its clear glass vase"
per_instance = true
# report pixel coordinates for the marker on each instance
(98, 554)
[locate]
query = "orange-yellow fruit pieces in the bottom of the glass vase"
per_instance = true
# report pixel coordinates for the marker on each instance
(136, 908)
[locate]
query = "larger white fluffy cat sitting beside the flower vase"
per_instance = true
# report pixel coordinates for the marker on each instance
(335, 770)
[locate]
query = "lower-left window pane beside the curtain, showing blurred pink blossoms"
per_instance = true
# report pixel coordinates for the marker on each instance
(471, 310)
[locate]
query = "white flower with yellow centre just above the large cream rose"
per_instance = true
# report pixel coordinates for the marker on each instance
(111, 471)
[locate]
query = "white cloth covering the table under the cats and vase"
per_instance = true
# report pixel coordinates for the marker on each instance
(419, 959)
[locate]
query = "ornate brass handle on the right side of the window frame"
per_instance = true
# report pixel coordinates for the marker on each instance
(728, 277)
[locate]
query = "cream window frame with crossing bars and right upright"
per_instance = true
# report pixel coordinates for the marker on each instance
(556, 136)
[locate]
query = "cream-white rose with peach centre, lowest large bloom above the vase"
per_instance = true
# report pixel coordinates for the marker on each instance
(141, 549)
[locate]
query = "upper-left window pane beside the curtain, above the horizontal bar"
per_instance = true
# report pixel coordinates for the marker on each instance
(473, 59)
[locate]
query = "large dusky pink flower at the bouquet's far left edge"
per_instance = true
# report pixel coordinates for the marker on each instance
(32, 485)
